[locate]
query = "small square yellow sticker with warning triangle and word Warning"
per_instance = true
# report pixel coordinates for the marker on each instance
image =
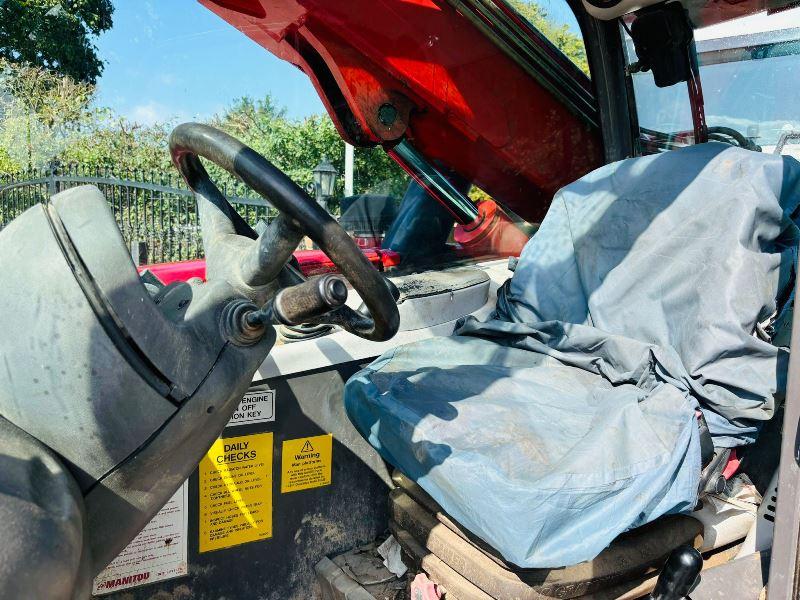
(306, 463)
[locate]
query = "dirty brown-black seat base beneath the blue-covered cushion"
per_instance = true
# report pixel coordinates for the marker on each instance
(468, 568)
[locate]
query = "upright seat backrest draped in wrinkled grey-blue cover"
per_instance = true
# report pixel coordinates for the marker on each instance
(690, 250)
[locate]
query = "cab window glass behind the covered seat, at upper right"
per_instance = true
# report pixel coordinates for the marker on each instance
(749, 70)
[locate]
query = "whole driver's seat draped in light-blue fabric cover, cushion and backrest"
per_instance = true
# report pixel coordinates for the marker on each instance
(570, 417)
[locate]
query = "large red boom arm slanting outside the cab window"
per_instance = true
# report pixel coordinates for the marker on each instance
(443, 79)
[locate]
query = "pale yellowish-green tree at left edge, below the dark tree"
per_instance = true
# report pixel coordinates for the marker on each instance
(41, 113)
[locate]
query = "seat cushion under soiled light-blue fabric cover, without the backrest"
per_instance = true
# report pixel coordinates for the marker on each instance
(545, 462)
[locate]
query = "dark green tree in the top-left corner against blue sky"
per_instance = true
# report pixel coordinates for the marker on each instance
(55, 34)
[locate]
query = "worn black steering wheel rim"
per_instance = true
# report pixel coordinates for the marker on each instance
(301, 215)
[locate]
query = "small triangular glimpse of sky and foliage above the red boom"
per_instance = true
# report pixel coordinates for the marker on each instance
(555, 20)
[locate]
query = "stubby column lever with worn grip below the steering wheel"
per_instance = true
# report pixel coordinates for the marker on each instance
(302, 303)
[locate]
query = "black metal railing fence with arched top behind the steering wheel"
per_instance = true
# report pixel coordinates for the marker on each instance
(156, 213)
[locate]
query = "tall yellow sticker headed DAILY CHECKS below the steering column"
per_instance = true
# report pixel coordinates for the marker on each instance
(236, 492)
